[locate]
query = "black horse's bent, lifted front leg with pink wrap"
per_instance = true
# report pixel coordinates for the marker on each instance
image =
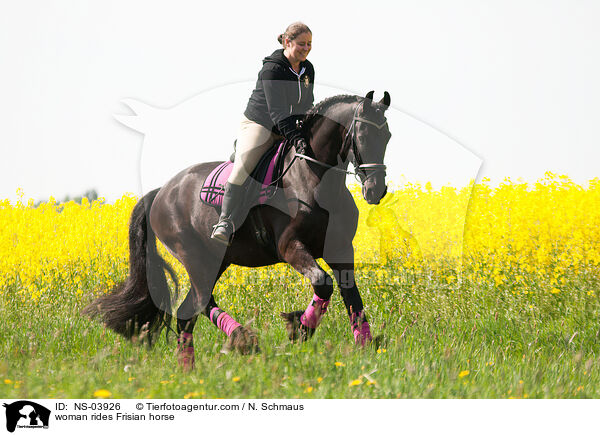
(302, 324)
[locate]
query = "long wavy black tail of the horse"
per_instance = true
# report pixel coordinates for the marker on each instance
(141, 305)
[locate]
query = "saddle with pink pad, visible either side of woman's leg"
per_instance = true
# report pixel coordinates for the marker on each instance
(260, 183)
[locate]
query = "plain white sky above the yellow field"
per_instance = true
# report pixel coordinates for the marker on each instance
(513, 82)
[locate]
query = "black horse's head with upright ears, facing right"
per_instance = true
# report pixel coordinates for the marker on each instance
(370, 136)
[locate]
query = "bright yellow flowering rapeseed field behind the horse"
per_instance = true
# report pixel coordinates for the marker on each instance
(495, 236)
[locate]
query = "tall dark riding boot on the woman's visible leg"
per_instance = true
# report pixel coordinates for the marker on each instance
(232, 213)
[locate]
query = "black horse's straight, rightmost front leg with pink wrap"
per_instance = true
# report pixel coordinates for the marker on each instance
(344, 275)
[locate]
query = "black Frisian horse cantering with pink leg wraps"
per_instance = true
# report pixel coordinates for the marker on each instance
(316, 218)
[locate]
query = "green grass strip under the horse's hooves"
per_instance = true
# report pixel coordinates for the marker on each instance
(534, 345)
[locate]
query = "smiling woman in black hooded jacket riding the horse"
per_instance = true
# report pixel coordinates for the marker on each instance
(283, 94)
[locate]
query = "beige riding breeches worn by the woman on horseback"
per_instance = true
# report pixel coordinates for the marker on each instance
(253, 141)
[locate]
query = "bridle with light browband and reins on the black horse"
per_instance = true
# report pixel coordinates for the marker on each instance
(360, 167)
